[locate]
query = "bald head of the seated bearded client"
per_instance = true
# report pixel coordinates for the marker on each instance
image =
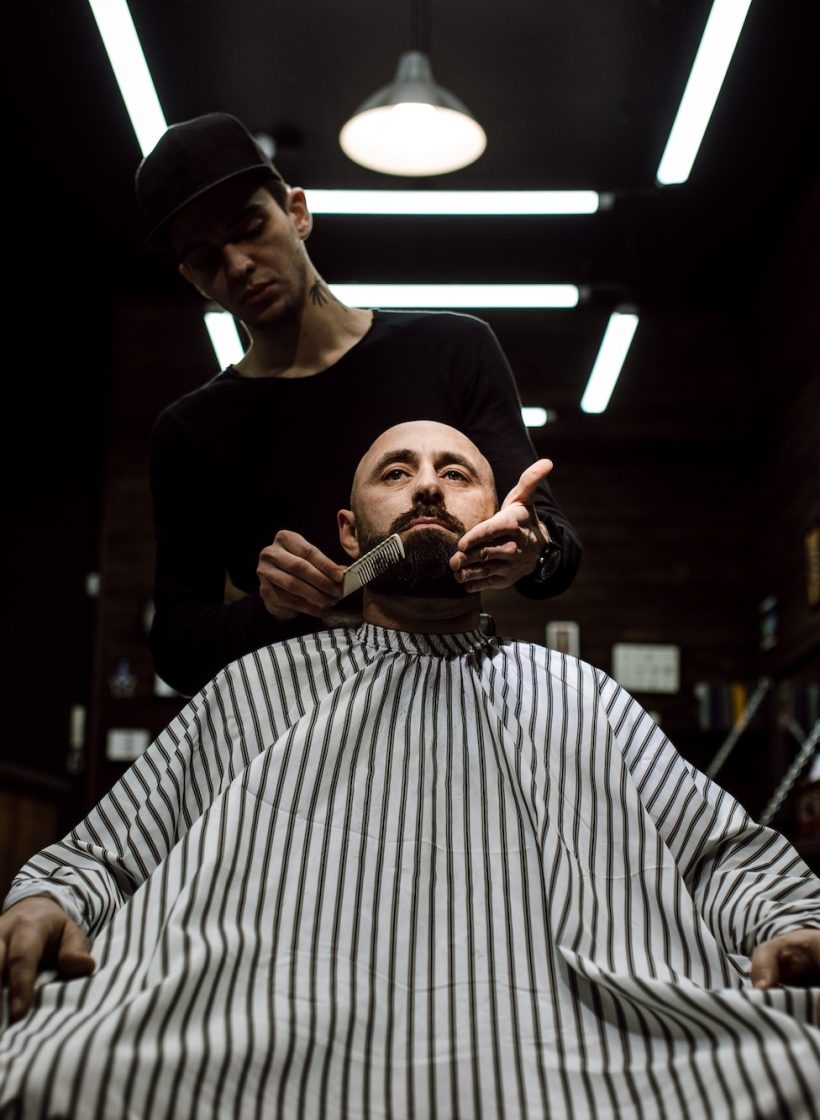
(428, 483)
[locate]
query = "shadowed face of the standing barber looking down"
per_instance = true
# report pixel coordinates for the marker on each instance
(239, 248)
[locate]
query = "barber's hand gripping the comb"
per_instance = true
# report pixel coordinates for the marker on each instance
(296, 578)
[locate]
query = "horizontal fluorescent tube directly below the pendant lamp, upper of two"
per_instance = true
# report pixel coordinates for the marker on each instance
(453, 202)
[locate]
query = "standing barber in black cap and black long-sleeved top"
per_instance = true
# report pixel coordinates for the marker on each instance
(248, 471)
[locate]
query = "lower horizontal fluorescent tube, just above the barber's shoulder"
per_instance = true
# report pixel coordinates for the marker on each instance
(456, 295)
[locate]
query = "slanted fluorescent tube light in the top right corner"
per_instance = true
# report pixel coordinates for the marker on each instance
(723, 30)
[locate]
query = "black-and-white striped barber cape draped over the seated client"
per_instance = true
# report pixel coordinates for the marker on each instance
(372, 874)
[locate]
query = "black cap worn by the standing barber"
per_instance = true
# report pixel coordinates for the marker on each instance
(190, 160)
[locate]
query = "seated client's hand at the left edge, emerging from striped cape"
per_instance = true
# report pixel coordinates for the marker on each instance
(38, 934)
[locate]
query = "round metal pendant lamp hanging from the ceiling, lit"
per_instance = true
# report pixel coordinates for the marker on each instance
(413, 126)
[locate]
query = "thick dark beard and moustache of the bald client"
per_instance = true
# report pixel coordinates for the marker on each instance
(425, 573)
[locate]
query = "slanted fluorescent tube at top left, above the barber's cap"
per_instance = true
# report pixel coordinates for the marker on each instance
(128, 63)
